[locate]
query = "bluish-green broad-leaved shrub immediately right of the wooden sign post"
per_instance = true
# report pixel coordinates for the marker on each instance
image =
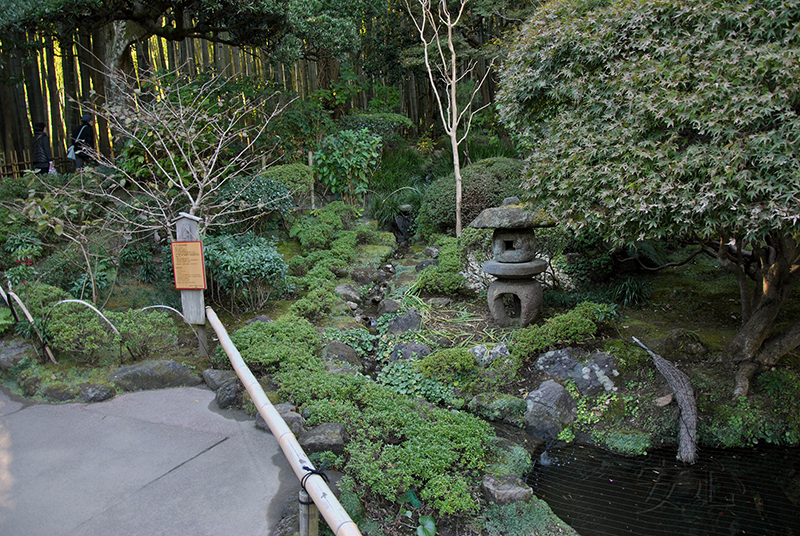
(244, 270)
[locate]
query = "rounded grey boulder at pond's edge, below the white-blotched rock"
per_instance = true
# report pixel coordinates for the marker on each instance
(549, 409)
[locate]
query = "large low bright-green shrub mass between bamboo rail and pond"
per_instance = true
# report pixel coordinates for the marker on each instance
(396, 444)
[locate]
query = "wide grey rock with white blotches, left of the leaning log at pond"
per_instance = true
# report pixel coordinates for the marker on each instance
(590, 376)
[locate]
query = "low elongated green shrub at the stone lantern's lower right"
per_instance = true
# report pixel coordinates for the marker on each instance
(575, 326)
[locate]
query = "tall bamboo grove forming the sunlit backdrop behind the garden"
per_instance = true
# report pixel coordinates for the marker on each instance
(57, 59)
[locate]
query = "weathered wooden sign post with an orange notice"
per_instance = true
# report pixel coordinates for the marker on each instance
(190, 274)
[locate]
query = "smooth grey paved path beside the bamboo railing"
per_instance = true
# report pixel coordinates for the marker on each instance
(164, 462)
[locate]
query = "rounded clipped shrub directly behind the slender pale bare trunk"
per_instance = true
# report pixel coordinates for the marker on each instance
(484, 185)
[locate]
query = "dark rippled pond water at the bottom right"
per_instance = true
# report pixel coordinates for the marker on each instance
(727, 492)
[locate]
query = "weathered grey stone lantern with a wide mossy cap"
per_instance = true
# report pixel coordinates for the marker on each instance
(513, 263)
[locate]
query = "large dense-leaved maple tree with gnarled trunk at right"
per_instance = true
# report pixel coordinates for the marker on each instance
(670, 119)
